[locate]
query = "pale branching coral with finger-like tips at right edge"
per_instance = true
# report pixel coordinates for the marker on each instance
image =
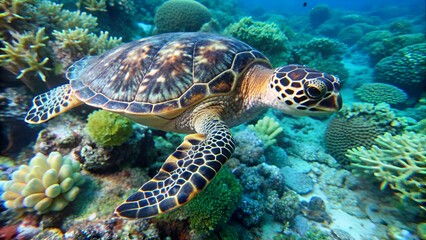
(398, 161)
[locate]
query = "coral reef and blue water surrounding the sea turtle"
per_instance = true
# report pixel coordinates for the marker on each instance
(356, 174)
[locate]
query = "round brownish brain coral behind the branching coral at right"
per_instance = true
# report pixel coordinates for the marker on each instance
(358, 125)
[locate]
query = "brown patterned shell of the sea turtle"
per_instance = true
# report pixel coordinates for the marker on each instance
(163, 73)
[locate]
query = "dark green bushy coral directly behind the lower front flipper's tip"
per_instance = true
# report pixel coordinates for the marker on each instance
(214, 206)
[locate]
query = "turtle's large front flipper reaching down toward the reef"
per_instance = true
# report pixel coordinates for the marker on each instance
(185, 173)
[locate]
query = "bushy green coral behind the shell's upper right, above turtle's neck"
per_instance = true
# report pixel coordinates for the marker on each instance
(264, 36)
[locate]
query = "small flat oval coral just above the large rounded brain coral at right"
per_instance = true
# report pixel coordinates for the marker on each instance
(380, 92)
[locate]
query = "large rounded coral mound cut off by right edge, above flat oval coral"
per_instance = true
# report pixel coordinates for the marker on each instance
(406, 68)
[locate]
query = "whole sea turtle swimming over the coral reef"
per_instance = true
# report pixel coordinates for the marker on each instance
(197, 83)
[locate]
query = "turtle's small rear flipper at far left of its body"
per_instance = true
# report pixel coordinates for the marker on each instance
(52, 103)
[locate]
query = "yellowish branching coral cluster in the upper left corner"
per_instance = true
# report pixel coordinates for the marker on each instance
(28, 40)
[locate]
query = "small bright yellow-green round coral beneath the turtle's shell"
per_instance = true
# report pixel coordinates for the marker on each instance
(108, 128)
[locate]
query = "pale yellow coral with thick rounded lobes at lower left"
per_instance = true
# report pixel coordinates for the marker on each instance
(46, 184)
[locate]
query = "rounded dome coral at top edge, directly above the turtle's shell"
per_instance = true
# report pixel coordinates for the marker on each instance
(181, 16)
